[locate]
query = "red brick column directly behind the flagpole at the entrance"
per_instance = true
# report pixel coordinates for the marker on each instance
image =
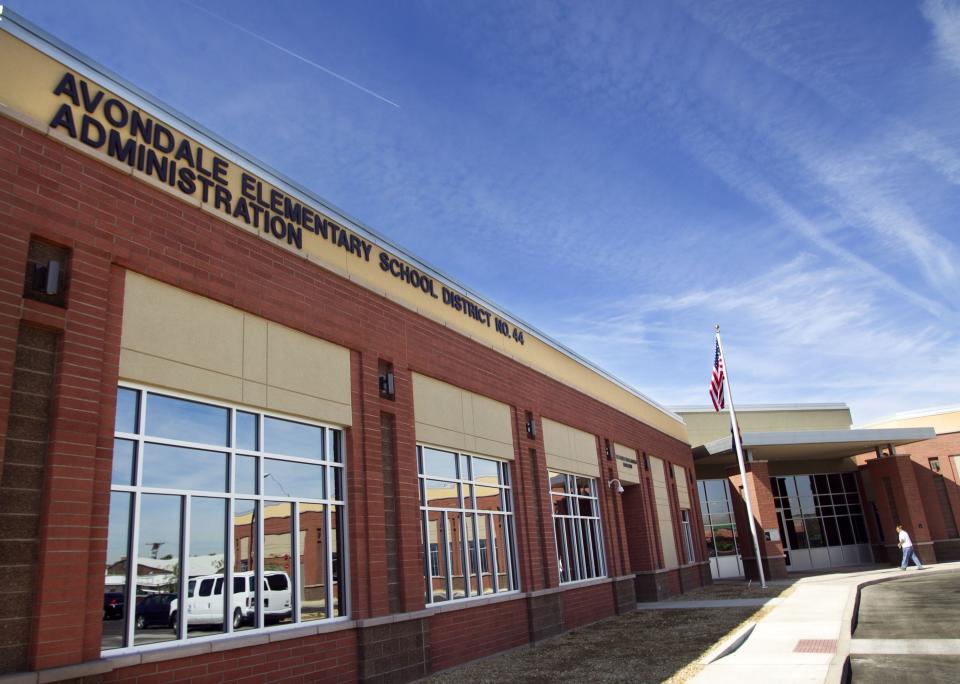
(764, 517)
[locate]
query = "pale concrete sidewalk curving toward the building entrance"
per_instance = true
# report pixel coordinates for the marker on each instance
(806, 636)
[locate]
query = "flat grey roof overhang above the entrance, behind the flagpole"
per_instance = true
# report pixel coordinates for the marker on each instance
(808, 445)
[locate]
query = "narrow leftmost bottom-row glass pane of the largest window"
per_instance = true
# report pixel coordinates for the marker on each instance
(115, 575)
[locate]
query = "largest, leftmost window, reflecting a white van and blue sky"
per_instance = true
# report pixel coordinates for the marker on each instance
(240, 512)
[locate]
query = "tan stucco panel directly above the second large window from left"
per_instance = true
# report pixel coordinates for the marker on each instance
(448, 416)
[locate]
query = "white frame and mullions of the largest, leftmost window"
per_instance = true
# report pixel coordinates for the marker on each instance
(334, 457)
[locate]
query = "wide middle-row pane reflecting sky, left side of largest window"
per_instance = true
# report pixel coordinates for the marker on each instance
(180, 468)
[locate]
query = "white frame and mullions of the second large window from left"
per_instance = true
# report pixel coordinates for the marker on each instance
(469, 552)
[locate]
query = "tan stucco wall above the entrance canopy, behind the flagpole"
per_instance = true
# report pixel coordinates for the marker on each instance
(703, 427)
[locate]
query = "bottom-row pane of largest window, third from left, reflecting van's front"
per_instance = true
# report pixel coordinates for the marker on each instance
(207, 553)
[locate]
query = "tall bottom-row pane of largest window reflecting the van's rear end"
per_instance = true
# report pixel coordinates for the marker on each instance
(277, 555)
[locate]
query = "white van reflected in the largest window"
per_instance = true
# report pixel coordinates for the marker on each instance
(205, 599)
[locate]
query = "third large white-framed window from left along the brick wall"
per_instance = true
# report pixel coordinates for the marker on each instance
(576, 524)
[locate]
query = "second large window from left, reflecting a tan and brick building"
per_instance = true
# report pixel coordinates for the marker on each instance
(467, 525)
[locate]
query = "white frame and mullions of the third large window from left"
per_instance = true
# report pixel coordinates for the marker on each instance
(587, 560)
